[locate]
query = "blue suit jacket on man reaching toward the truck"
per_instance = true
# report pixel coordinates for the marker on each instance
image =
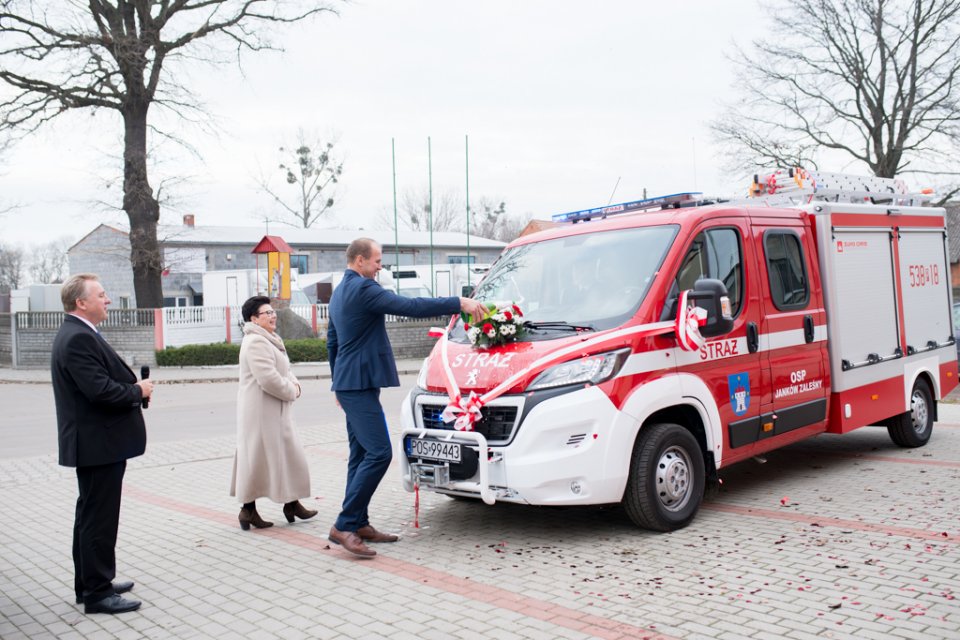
(357, 344)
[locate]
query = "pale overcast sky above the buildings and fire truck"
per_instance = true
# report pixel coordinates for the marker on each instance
(560, 100)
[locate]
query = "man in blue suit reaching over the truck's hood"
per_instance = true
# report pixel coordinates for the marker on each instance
(361, 362)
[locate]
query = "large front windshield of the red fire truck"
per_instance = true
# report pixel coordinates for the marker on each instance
(594, 280)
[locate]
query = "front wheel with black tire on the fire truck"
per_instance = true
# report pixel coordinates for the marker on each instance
(667, 476)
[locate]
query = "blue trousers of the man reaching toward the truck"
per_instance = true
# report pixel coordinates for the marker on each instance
(370, 454)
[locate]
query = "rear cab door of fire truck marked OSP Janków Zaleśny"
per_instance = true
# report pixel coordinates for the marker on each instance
(793, 336)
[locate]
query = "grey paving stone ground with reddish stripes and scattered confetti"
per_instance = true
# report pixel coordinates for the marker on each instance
(835, 537)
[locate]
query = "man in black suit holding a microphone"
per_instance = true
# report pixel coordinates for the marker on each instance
(100, 425)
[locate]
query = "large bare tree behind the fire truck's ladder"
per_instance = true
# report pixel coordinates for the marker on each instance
(875, 80)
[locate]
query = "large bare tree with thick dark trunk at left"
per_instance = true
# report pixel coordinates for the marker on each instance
(122, 55)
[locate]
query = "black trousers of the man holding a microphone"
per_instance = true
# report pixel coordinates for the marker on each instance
(95, 530)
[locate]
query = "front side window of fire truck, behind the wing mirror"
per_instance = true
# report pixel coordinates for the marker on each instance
(714, 253)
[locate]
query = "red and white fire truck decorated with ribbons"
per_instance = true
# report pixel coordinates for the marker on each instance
(820, 305)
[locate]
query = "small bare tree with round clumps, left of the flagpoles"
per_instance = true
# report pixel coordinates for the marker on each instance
(314, 171)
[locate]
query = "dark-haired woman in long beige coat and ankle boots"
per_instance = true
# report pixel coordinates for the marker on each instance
(270, 461)
